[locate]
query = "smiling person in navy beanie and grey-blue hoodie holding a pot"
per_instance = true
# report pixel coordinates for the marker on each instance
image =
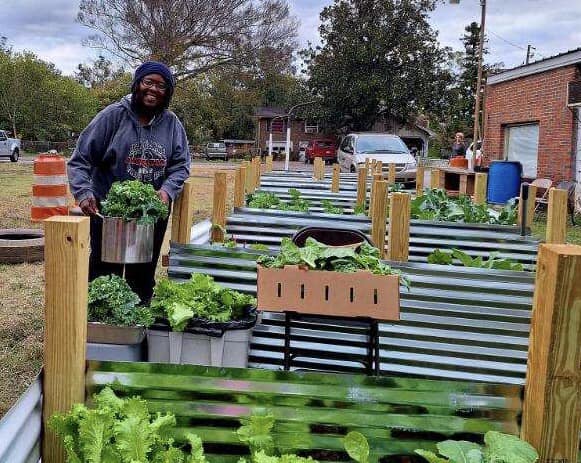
(135, 138)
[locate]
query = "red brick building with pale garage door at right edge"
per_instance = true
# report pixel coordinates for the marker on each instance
(528, 119)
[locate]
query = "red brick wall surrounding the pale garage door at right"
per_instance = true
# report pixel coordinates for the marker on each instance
(537, 98)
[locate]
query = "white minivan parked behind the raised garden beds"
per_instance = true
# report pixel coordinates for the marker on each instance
(355, 148)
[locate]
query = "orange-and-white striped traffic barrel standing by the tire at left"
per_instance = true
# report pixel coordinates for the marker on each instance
(49, 187)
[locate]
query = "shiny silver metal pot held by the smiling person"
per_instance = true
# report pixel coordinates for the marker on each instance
(126, 242)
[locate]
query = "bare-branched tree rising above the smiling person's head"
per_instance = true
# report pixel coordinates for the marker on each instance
(191, 36)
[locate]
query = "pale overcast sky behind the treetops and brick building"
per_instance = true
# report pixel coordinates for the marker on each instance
(48, 27)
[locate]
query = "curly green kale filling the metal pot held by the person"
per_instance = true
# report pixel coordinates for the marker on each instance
(133, 199)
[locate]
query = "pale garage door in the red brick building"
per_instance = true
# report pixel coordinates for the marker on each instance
(522, 144)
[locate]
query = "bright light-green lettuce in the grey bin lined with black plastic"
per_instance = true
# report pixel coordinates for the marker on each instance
(200, 297)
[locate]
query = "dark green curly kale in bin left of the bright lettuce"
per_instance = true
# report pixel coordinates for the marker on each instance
(112, 301)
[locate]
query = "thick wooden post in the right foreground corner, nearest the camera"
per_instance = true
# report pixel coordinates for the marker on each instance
(552, 405)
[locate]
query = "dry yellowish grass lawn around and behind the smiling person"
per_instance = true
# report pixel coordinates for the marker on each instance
(22, 285)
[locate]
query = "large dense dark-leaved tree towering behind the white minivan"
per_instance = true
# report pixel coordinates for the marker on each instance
(377, 57)
